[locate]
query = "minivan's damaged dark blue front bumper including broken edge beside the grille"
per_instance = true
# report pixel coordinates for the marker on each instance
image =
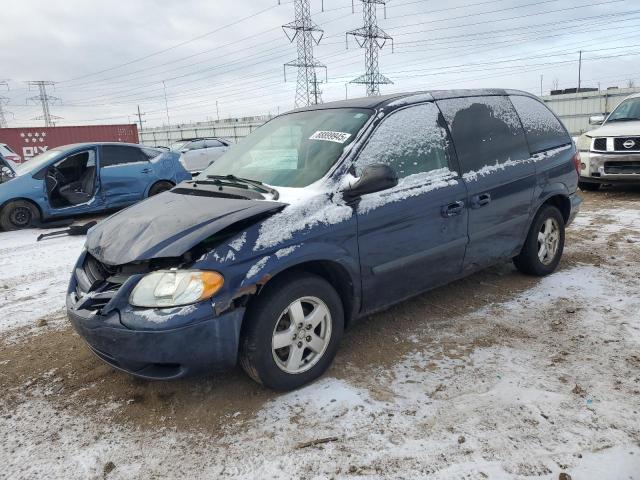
(170, 343)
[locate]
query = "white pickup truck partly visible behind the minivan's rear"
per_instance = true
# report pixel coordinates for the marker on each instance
(611, 153)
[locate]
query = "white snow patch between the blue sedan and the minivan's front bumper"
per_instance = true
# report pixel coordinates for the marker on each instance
(34, 276)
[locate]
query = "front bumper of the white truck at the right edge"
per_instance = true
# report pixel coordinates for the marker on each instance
(610, 167)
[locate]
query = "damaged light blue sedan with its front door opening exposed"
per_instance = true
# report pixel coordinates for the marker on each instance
(84, 178)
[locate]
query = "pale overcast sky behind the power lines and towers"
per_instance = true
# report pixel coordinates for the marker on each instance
(110, 57)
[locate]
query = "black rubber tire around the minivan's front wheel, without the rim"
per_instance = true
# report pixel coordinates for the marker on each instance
(267, 310)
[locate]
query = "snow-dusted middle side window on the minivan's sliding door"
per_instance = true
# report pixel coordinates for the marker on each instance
(486, 131)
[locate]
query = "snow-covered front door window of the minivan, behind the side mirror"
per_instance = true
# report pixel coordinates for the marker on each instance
(412, 140)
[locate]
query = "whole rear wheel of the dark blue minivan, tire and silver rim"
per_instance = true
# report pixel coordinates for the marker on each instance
(543, 248)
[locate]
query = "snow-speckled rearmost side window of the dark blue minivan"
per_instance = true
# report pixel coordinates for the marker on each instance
(542, 128)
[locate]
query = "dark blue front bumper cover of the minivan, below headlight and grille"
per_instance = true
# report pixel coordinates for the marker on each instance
(161, 354)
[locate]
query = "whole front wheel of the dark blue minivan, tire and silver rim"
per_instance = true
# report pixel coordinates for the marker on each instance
(292, 331)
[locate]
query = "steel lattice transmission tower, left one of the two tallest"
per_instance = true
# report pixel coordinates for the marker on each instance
(305, 33)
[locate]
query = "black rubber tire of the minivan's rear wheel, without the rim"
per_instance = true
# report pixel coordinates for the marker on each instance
(528, 261)
